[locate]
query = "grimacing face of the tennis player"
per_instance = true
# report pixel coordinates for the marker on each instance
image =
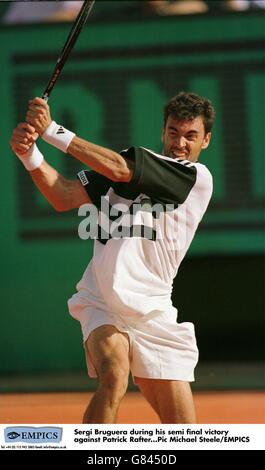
(185, 139)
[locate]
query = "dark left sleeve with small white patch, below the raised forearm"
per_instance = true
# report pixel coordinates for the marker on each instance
(95, 184)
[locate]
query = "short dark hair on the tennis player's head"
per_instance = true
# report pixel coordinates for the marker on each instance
(187, 106)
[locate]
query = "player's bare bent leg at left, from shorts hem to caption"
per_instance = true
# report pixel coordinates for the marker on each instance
(108, 349)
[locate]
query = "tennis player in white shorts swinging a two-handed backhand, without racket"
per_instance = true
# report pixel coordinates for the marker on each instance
(123, 301)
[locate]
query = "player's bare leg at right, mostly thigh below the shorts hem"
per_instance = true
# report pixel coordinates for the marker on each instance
(171, 399)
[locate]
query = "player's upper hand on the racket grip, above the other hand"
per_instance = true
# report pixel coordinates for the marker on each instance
(38, 115)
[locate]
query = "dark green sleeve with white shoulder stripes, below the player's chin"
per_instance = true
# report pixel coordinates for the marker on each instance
(165, 181)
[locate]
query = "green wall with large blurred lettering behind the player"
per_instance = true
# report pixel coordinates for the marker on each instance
(112, 92)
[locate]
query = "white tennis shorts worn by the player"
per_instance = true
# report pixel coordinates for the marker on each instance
(160, 348)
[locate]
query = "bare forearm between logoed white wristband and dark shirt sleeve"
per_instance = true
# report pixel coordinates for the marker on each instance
(105, 161)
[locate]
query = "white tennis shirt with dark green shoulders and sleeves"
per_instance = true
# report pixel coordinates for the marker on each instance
(145, 228)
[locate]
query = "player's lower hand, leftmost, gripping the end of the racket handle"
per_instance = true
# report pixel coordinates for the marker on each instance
(23, 137)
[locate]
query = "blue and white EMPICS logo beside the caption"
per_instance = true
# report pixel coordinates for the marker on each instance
(33, 435)
